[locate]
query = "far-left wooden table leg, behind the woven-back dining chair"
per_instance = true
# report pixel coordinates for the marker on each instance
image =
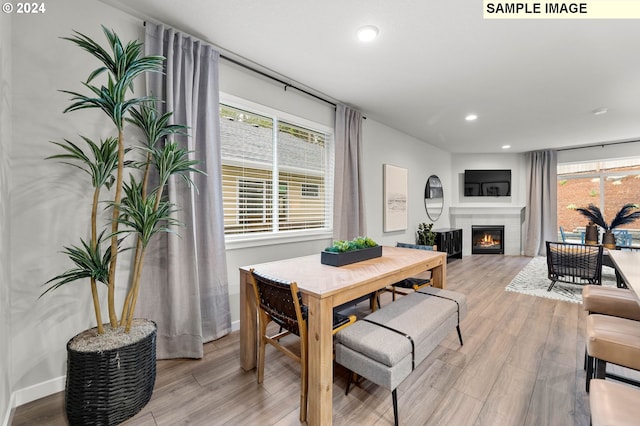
(248, 323)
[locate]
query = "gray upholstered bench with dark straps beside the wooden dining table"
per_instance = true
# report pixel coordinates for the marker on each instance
(387, 345)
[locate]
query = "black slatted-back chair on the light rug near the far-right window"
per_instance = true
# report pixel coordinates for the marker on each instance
(574, 263)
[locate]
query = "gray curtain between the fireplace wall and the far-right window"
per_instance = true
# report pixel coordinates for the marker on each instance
(541, 210)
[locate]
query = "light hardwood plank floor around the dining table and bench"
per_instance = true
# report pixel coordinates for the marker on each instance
(521, 364)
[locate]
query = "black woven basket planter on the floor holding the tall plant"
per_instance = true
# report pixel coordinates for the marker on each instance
(107, 387)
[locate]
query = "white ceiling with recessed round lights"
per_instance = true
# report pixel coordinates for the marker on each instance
(534, 84)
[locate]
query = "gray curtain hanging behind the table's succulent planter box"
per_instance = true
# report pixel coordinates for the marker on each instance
(348, 204)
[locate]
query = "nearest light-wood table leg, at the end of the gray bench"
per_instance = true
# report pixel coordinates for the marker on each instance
(320, 323)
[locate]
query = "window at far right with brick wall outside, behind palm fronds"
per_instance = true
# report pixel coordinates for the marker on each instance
(606, 184)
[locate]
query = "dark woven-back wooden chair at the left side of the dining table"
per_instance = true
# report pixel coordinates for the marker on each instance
(281, 302)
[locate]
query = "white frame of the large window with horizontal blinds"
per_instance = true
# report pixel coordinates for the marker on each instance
(236, 241)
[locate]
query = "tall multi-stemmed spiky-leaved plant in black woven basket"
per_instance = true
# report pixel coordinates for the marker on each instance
(111, 368)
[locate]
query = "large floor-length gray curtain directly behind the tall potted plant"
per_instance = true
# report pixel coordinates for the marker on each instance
(185, 286)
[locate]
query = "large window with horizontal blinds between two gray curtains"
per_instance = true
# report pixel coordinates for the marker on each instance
(262, 150)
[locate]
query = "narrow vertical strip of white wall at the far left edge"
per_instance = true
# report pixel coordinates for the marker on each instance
(5, 146)
